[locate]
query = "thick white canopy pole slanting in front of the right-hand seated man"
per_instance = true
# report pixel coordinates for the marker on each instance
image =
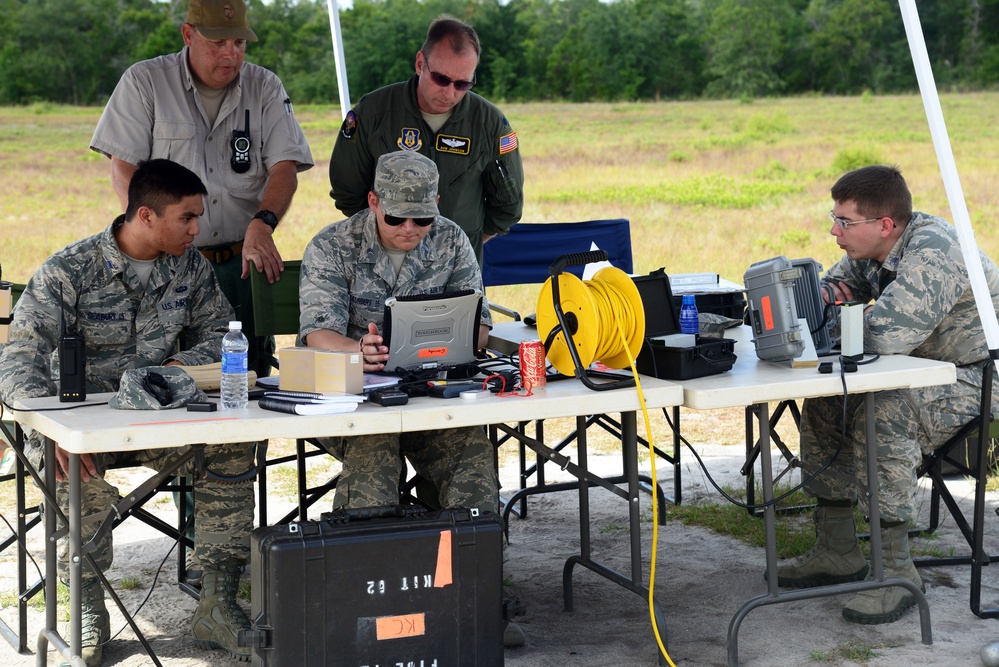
(948, 168)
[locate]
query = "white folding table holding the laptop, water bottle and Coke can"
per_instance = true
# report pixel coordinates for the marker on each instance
(85, 430)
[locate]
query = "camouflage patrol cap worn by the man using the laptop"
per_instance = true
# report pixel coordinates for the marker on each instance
(406, 184)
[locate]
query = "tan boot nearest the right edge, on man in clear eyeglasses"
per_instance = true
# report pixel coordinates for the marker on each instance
(885, 605)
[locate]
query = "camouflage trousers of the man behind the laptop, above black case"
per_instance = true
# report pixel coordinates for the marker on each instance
(459, 462)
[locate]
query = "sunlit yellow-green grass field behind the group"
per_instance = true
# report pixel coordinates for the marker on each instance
(708, 186)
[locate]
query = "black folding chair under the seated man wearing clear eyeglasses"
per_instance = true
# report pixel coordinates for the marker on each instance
(956, 453)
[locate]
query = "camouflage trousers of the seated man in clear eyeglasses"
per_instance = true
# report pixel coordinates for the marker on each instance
(908, 423)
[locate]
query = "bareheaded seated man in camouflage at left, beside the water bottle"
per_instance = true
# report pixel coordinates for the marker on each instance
(134, 290)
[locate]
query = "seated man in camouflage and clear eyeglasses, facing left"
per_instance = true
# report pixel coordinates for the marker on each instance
(909, 266)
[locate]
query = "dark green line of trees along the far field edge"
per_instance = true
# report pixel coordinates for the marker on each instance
(74, 51)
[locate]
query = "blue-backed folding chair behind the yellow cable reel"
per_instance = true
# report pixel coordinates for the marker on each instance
(524, 256)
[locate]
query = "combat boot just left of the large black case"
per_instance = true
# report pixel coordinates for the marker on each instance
(219, 618)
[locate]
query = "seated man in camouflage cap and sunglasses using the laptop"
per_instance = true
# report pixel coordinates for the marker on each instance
(399, 246)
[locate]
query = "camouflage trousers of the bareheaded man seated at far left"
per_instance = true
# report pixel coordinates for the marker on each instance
(223, 512)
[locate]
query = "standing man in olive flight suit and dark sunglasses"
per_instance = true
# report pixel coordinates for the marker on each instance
(436, 114)
